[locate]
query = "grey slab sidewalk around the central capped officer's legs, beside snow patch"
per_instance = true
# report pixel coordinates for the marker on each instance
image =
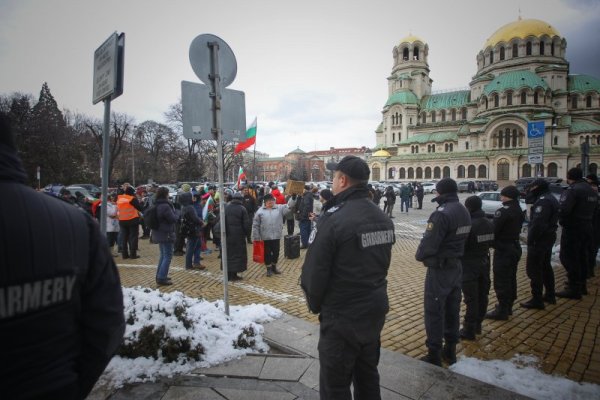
(294, 374)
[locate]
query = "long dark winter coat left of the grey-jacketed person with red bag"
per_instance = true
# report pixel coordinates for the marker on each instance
(237, 226)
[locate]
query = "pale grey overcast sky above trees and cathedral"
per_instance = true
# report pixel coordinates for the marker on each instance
(313, 71)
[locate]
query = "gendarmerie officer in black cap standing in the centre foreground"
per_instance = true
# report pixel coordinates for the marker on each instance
(344, 279)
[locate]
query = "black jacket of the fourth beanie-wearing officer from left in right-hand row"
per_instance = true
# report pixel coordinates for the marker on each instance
(543, 220)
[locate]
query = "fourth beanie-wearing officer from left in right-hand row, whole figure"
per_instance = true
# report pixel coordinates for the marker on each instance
(541, 234)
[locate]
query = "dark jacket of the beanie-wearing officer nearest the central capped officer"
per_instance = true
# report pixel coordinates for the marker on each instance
(446, 232)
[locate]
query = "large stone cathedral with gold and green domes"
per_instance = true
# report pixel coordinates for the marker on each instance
(481, 132)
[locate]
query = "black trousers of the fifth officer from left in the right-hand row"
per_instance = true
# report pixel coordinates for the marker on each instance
(574, 244)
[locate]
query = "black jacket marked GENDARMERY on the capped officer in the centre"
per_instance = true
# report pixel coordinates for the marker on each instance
(349, 253)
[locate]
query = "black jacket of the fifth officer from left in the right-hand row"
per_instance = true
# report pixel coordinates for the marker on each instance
(577, 205)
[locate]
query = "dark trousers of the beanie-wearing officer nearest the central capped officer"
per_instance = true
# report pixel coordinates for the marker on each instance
(442, 305)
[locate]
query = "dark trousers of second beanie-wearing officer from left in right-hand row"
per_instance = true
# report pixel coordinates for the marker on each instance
(476, 289)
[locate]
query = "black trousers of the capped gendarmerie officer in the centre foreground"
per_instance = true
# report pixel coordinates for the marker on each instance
(349, 353)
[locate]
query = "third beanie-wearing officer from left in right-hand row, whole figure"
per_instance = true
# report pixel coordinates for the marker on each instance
(508, 221)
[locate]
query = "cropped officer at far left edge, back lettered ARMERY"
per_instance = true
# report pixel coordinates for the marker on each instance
(61, 305)
